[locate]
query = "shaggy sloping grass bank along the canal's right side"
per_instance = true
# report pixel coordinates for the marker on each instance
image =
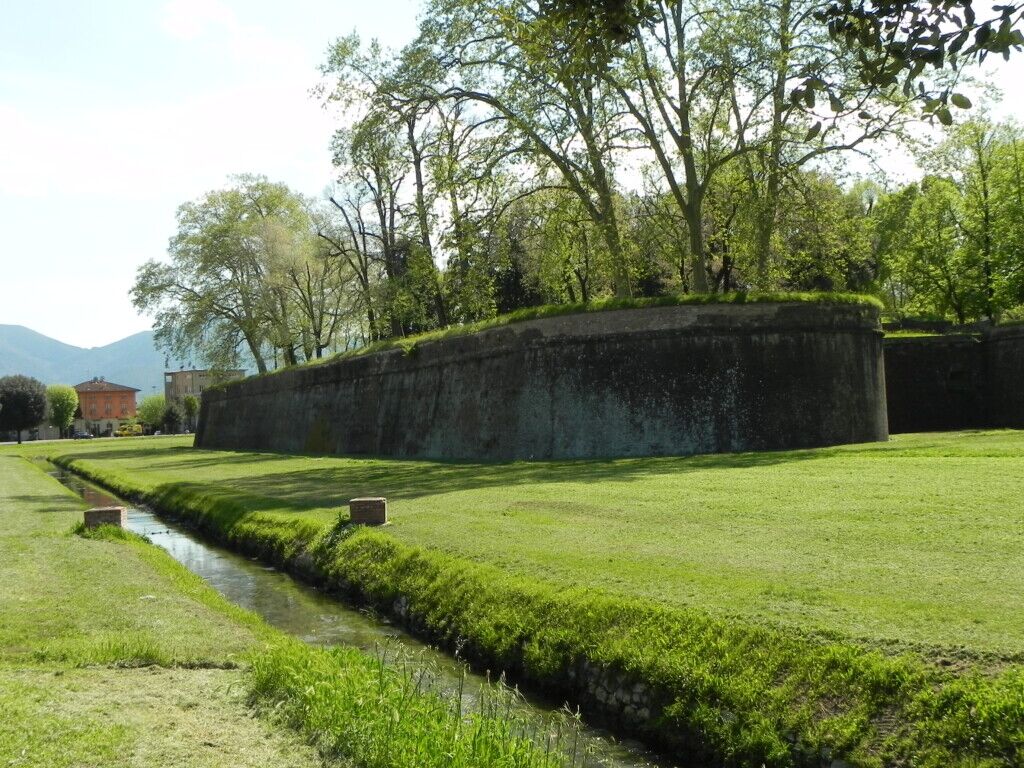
(713, 690)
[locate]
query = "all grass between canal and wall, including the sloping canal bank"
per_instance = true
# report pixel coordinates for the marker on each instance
(860, 602)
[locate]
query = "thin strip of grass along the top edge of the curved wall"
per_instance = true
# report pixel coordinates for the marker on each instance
(408, 344)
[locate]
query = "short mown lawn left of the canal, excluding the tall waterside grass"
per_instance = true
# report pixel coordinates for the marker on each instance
(112, 656)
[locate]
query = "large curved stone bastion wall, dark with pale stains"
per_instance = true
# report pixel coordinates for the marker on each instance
(668, 380)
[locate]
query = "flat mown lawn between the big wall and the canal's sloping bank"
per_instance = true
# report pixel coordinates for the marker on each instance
(918, 542)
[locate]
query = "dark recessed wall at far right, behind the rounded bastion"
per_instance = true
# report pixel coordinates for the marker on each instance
(958, 381)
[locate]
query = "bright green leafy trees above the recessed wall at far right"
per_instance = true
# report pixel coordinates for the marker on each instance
(952, 245)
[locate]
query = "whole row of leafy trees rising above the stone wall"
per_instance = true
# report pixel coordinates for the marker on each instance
(499, 162)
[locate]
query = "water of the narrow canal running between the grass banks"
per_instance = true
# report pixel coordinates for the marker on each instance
(321, 620)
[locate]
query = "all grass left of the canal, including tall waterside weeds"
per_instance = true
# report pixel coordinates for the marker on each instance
(113, 655)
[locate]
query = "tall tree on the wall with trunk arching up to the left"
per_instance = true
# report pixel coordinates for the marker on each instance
(502, 56)
